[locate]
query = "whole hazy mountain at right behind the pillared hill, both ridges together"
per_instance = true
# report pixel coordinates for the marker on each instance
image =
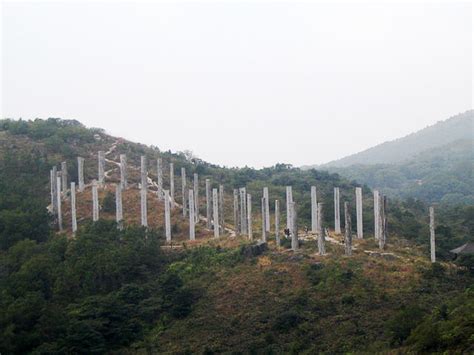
(434, 164)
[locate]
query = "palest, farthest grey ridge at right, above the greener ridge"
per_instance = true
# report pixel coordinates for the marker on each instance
(441, 133)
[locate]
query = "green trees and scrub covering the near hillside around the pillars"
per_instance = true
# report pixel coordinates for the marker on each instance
(108, 290)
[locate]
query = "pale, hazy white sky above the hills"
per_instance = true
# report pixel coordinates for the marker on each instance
(240, 83)
